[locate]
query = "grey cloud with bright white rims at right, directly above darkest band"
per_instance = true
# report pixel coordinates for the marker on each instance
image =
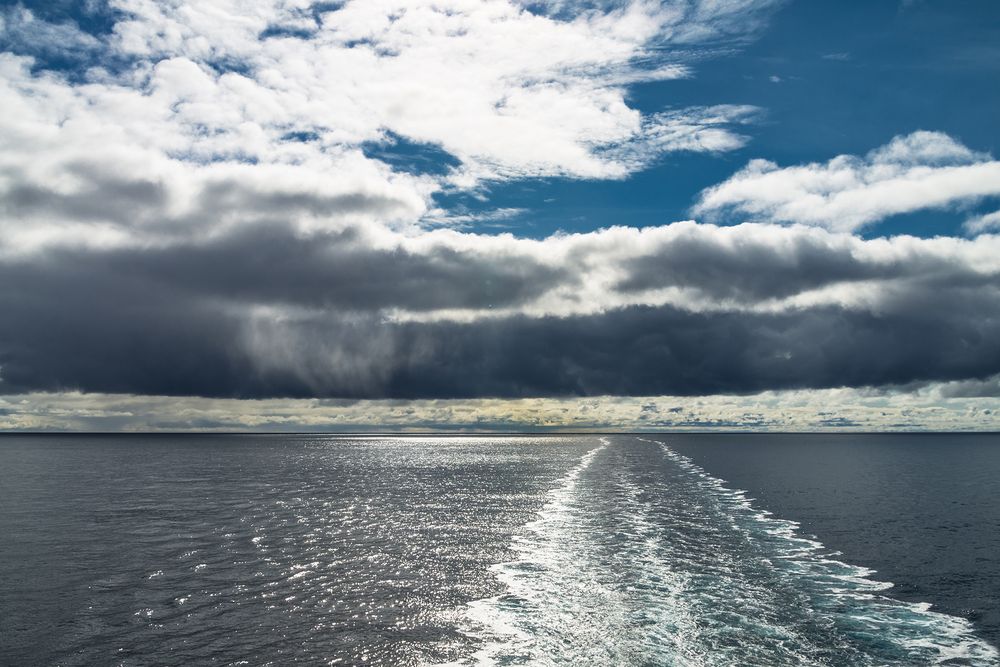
(766, 266)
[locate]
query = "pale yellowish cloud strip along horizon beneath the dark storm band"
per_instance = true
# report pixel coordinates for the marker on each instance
(864, 410)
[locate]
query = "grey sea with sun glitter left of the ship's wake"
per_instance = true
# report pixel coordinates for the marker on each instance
(259, 549)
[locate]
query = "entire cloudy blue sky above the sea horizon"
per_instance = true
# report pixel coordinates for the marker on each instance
(500, 215)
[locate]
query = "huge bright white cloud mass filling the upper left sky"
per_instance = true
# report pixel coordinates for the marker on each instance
(192, 118)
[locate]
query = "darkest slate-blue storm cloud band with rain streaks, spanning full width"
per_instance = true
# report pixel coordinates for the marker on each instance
(110, 327)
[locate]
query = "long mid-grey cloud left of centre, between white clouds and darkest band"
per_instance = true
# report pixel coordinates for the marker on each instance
(270, 264)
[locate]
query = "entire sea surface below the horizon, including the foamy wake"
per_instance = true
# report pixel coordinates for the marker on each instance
(581, 550)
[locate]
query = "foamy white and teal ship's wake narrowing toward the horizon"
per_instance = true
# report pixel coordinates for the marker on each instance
(641, 557)
